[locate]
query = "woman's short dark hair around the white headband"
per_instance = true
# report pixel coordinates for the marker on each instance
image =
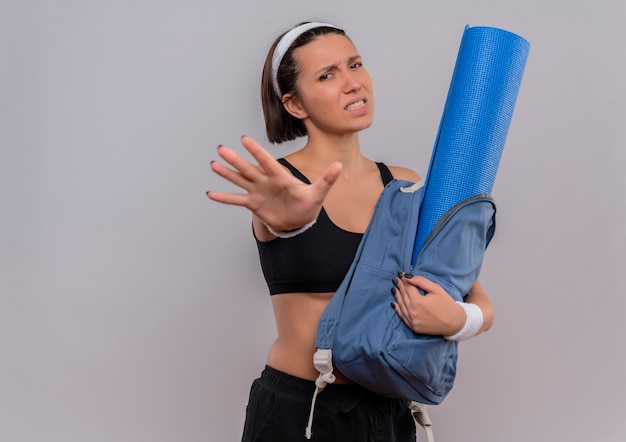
(280, 125)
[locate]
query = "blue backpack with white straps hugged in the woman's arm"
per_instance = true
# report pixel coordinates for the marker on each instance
(359, 332)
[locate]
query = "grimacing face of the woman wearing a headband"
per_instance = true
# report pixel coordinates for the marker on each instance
(334, 89)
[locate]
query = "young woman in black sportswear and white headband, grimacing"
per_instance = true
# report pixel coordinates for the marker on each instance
(309, 211)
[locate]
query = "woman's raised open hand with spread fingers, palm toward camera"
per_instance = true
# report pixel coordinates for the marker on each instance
(271, 192)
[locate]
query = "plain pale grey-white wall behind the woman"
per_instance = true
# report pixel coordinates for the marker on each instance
(133, 309)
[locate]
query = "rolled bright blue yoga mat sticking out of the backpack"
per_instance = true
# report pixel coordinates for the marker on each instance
(475, 122)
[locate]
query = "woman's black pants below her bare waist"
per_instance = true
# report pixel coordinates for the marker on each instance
(279, 406)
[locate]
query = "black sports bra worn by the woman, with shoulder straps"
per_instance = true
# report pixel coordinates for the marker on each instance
(315, 260)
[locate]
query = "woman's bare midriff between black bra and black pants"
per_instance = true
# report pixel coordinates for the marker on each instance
(297, 315)
